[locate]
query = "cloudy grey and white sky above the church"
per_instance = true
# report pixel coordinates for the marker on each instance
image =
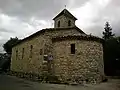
(22, 18)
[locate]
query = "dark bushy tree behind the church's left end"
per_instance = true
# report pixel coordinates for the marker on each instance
(9, 44)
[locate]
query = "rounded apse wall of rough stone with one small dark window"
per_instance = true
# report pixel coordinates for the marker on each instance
(85, 65)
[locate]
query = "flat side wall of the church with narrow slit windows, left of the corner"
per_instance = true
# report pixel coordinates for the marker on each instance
(28, 63)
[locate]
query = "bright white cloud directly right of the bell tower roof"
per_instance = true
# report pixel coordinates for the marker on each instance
(89, 12)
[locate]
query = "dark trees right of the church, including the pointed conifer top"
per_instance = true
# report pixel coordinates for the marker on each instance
(111, 49)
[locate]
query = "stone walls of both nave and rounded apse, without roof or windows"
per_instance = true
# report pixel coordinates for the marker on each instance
(85, 64)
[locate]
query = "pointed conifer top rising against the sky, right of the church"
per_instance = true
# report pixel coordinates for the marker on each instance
(107, 34)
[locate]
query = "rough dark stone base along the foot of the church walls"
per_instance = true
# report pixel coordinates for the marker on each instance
(51, 78)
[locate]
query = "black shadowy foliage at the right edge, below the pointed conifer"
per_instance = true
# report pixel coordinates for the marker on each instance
(111, 56)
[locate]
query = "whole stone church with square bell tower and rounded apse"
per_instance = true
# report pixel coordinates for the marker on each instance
(64, 51)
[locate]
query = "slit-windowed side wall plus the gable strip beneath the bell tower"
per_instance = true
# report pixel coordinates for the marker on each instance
(36, 63)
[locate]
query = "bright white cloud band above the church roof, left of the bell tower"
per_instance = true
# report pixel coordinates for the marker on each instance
(13, 26)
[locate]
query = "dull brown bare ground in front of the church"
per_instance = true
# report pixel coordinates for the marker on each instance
(13, 83)
